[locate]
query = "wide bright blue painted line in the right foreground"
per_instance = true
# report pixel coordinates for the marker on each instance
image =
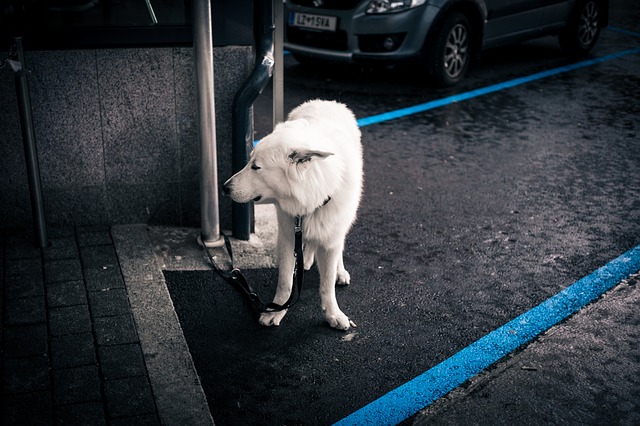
(408, 399)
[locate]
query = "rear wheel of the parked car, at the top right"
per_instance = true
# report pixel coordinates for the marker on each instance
(583, 29)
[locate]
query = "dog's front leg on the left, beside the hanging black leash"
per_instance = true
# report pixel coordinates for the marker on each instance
(286, 265)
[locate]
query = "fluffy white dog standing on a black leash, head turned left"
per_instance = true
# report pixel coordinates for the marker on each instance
(309, 166)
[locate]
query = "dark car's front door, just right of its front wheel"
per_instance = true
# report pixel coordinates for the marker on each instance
(509, 20)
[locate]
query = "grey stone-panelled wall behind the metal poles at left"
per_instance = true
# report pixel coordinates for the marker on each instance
(116, 135)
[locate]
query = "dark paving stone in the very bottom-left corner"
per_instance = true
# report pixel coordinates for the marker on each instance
(32, 408)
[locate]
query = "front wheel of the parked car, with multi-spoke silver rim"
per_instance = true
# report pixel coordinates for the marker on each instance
(449, 55)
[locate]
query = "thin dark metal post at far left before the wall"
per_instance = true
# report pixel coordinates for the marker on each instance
(30, 149)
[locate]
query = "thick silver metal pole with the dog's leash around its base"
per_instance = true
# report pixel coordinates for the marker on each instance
(203, 52)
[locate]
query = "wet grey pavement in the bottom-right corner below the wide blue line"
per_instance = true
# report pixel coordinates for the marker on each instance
(583, 371)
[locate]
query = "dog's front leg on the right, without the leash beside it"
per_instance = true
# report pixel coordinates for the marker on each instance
(328, 260)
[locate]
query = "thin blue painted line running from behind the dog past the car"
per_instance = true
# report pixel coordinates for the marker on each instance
(404, 112)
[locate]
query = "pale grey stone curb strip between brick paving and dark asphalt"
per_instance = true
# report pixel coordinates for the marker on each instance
(176, 386)
